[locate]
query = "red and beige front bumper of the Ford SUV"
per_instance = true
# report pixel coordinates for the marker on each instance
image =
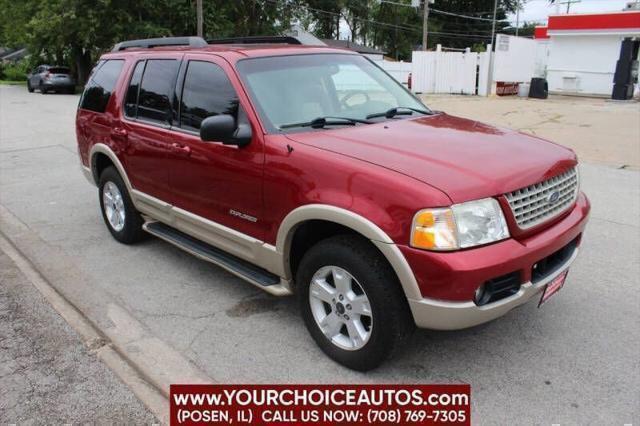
(453, 277)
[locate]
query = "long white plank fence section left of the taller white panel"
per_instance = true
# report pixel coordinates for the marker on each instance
(450, 72)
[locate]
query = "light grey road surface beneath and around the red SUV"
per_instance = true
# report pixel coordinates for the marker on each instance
(574, 361)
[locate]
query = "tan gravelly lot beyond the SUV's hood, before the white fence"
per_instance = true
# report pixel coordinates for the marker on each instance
(599, 130)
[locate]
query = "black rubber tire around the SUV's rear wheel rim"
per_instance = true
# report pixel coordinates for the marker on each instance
(132, 231)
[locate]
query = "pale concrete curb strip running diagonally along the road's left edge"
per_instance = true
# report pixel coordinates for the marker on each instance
(146, 364)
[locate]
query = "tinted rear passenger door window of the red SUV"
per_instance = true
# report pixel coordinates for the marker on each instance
(155, 90)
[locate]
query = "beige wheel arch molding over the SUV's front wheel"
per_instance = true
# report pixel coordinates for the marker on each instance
(353, 221)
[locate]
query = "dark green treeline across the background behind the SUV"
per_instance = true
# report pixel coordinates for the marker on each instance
(76, 32)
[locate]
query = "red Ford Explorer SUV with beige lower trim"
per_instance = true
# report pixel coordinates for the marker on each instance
(309, 170)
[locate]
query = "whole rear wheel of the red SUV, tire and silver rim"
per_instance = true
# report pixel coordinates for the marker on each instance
(122, 219)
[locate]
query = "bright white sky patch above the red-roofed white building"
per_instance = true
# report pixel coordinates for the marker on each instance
(539, 10)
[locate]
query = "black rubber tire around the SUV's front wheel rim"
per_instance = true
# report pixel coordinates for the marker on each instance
(392, 323)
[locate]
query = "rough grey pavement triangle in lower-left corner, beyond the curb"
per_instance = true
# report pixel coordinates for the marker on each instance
(47, 376)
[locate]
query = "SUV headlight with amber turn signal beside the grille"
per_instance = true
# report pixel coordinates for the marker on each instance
(463, 225)
